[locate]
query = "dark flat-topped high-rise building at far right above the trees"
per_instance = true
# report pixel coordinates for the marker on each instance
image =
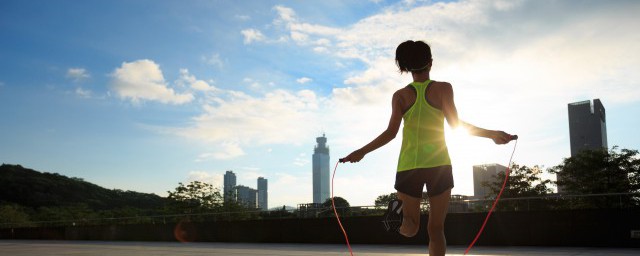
(587, 126)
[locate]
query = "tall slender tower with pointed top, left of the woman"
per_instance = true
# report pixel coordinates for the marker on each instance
(321, 171)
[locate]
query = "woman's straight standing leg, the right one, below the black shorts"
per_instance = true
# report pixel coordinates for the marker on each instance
(438, 207)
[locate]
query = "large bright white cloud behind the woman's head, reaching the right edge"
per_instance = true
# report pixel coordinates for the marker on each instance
(488, 46)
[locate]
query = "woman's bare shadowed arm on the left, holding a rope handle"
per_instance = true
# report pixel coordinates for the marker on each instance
(385, 137)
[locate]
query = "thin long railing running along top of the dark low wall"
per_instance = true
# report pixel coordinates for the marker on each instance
(457, 205)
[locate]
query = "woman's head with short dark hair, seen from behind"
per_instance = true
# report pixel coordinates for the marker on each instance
(413, 56)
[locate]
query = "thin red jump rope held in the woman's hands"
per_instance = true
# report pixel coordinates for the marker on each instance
(504, 183)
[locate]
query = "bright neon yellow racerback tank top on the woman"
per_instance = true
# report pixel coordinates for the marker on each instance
(423, 143)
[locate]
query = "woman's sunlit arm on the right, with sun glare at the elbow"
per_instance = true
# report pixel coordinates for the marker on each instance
(451, 114)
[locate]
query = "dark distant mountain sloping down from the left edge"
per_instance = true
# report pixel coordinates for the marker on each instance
(33, 189)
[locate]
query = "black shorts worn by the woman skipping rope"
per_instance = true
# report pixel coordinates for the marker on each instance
(438, 180)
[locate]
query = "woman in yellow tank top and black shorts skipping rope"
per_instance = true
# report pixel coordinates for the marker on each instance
(424, 158)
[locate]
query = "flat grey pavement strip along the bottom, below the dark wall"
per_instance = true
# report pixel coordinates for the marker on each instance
(80, 248)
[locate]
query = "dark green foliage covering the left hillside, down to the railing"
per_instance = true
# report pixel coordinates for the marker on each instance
(34, 198)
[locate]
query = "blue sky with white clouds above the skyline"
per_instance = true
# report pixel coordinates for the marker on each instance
(141, 95)
